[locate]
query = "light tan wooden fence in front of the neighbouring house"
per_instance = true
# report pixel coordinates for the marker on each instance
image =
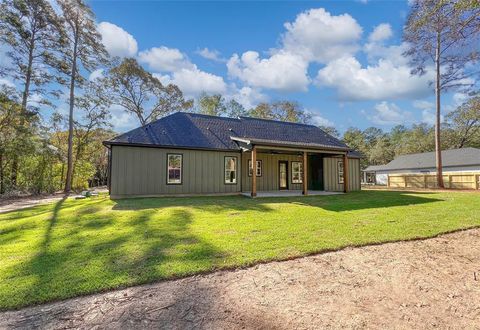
(451, 180)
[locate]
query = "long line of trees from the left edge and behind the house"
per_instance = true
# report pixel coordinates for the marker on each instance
(54, 114)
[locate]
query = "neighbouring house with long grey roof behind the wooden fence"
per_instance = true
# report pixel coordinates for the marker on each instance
(454, 160)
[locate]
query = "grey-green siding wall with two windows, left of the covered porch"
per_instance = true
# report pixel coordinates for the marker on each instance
(140, 171)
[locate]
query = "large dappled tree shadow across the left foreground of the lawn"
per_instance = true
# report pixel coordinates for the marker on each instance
(83, 255)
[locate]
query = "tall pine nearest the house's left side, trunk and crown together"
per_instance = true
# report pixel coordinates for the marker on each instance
(83, 50)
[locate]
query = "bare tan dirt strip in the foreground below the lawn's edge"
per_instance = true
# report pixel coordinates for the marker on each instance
(433, 283)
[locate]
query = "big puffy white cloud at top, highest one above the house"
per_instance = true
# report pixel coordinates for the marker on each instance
(318, 36)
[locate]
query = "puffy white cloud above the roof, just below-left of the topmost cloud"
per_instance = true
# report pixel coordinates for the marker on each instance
(282, 71)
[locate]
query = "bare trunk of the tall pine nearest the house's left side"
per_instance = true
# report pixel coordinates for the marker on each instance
(69, 178)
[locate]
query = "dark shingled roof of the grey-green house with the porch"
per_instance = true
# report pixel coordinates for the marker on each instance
(188, 130)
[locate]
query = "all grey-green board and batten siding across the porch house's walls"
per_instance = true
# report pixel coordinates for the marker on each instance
(142, 171)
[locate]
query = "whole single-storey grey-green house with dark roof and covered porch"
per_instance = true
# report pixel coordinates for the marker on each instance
(186, 154)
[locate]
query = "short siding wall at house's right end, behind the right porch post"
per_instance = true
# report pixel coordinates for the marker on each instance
(330, 172)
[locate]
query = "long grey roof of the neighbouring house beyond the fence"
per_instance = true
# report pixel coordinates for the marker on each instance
(450, 158)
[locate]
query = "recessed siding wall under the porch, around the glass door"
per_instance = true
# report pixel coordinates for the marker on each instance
(269, 178)
